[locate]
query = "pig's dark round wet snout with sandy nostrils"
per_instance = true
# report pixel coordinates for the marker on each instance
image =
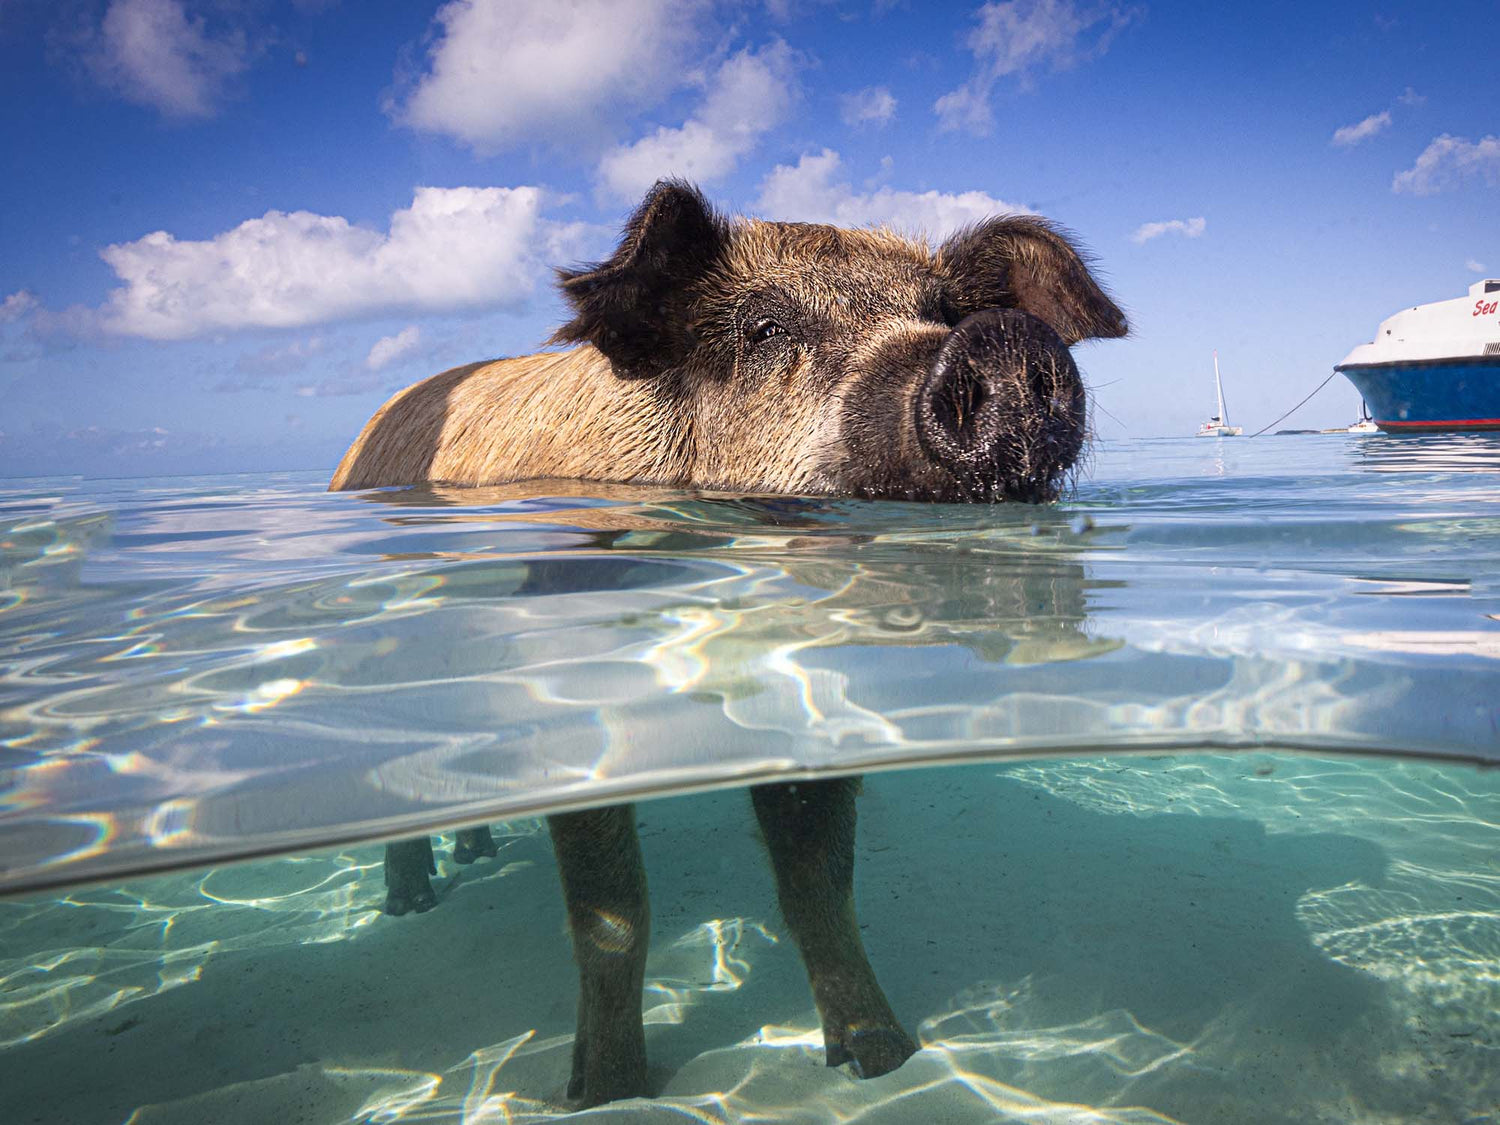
(1003, 409)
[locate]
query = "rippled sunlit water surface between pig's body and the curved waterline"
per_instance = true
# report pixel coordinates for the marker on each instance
(209, 668)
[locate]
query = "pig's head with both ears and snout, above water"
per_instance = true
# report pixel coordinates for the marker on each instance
(808, 359)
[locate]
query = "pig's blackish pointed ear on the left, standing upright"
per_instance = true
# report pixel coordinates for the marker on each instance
(635, 307)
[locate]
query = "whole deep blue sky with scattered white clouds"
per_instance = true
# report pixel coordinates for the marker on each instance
(232, 229)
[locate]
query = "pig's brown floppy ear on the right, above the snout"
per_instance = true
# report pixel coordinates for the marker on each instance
(1021, 262)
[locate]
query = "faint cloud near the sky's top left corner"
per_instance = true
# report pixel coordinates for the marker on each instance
(155, 56)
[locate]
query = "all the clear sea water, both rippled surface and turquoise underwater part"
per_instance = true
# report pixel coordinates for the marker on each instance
(1160, 890)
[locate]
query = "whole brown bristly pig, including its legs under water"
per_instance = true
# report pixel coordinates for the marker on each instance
(770, 358)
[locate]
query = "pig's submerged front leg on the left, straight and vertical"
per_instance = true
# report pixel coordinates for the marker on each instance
(605, 890)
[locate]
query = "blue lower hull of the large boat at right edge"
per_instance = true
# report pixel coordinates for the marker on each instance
(1444, 395)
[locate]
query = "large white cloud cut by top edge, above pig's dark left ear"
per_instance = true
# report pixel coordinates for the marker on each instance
(506, 73)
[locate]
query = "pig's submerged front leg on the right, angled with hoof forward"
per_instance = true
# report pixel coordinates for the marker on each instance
(809, 832)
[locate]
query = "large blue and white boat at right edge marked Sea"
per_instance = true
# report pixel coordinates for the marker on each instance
(1435, 367)
